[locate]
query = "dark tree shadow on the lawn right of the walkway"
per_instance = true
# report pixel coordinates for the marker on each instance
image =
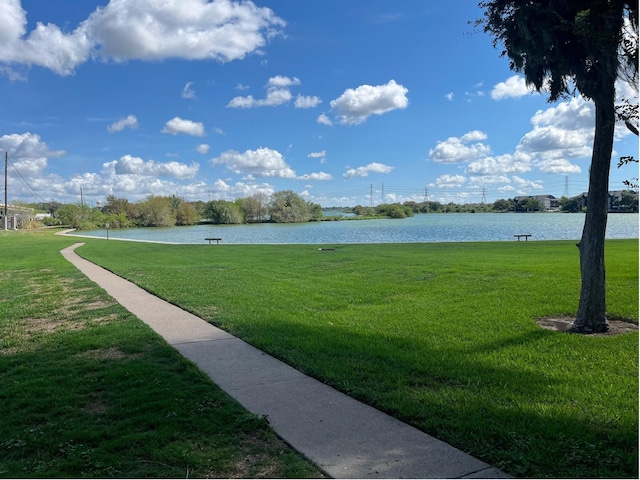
(503, 401)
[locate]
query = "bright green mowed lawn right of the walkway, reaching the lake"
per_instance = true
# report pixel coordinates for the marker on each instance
(442, 336)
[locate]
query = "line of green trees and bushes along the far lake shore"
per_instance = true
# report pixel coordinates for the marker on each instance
(280, 207)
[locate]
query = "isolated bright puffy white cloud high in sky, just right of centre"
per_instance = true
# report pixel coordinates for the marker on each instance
(354, 106)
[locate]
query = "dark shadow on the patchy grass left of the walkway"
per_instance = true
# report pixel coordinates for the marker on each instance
(98, 404)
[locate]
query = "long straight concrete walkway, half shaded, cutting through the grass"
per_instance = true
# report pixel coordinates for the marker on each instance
(343, 437)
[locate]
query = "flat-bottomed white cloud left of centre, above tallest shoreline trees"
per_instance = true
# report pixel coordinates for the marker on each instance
(263, 162)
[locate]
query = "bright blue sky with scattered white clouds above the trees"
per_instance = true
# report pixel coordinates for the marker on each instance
(346, 103)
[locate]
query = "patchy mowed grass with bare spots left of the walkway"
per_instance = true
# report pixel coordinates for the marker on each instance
(88, 390)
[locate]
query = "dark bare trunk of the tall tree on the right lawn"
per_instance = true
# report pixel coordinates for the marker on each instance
(592, 316)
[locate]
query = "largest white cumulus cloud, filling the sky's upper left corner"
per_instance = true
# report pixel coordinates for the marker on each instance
(221, 30)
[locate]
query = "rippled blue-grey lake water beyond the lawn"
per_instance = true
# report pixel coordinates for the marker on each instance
(453, 227)
